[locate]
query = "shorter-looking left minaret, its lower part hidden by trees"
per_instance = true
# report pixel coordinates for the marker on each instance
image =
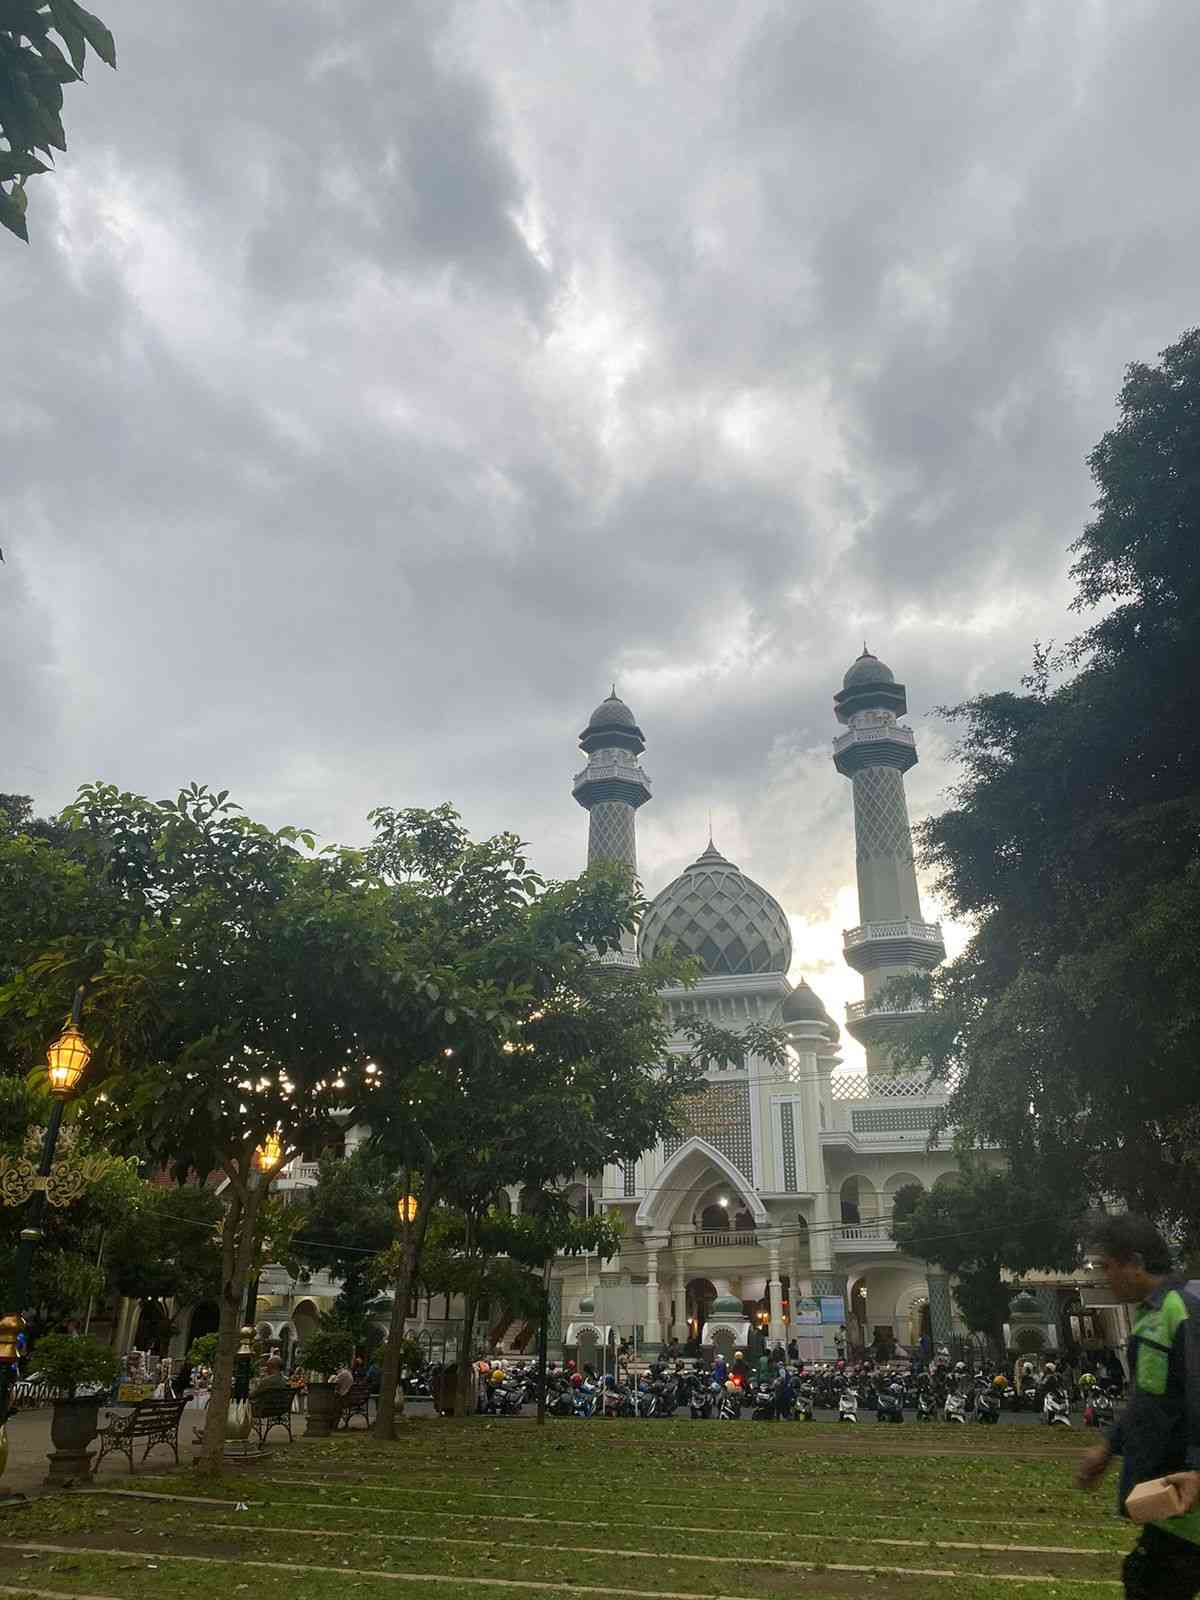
(610, 790)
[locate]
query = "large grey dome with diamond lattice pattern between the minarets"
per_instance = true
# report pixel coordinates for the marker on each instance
(718, 914)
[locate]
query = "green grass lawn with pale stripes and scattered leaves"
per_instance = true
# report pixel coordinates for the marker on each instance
(502, 1511)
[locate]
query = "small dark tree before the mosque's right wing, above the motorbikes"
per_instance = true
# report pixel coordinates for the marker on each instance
(980, 1225)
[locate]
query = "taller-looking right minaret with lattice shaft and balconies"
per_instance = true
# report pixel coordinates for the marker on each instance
(892, 940)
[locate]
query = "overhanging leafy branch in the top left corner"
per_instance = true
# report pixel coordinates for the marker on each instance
(33, 71)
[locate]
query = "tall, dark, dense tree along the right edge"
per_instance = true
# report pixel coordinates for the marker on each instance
(1071, 1025)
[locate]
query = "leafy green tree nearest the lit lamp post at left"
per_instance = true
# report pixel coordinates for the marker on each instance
(228, 994)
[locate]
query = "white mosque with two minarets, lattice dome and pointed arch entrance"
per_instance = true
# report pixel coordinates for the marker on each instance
(769, 1214)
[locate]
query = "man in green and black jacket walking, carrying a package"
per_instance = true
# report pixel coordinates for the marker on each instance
(1158, 1436)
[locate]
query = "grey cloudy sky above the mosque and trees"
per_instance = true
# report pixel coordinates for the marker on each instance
(385, 380)
